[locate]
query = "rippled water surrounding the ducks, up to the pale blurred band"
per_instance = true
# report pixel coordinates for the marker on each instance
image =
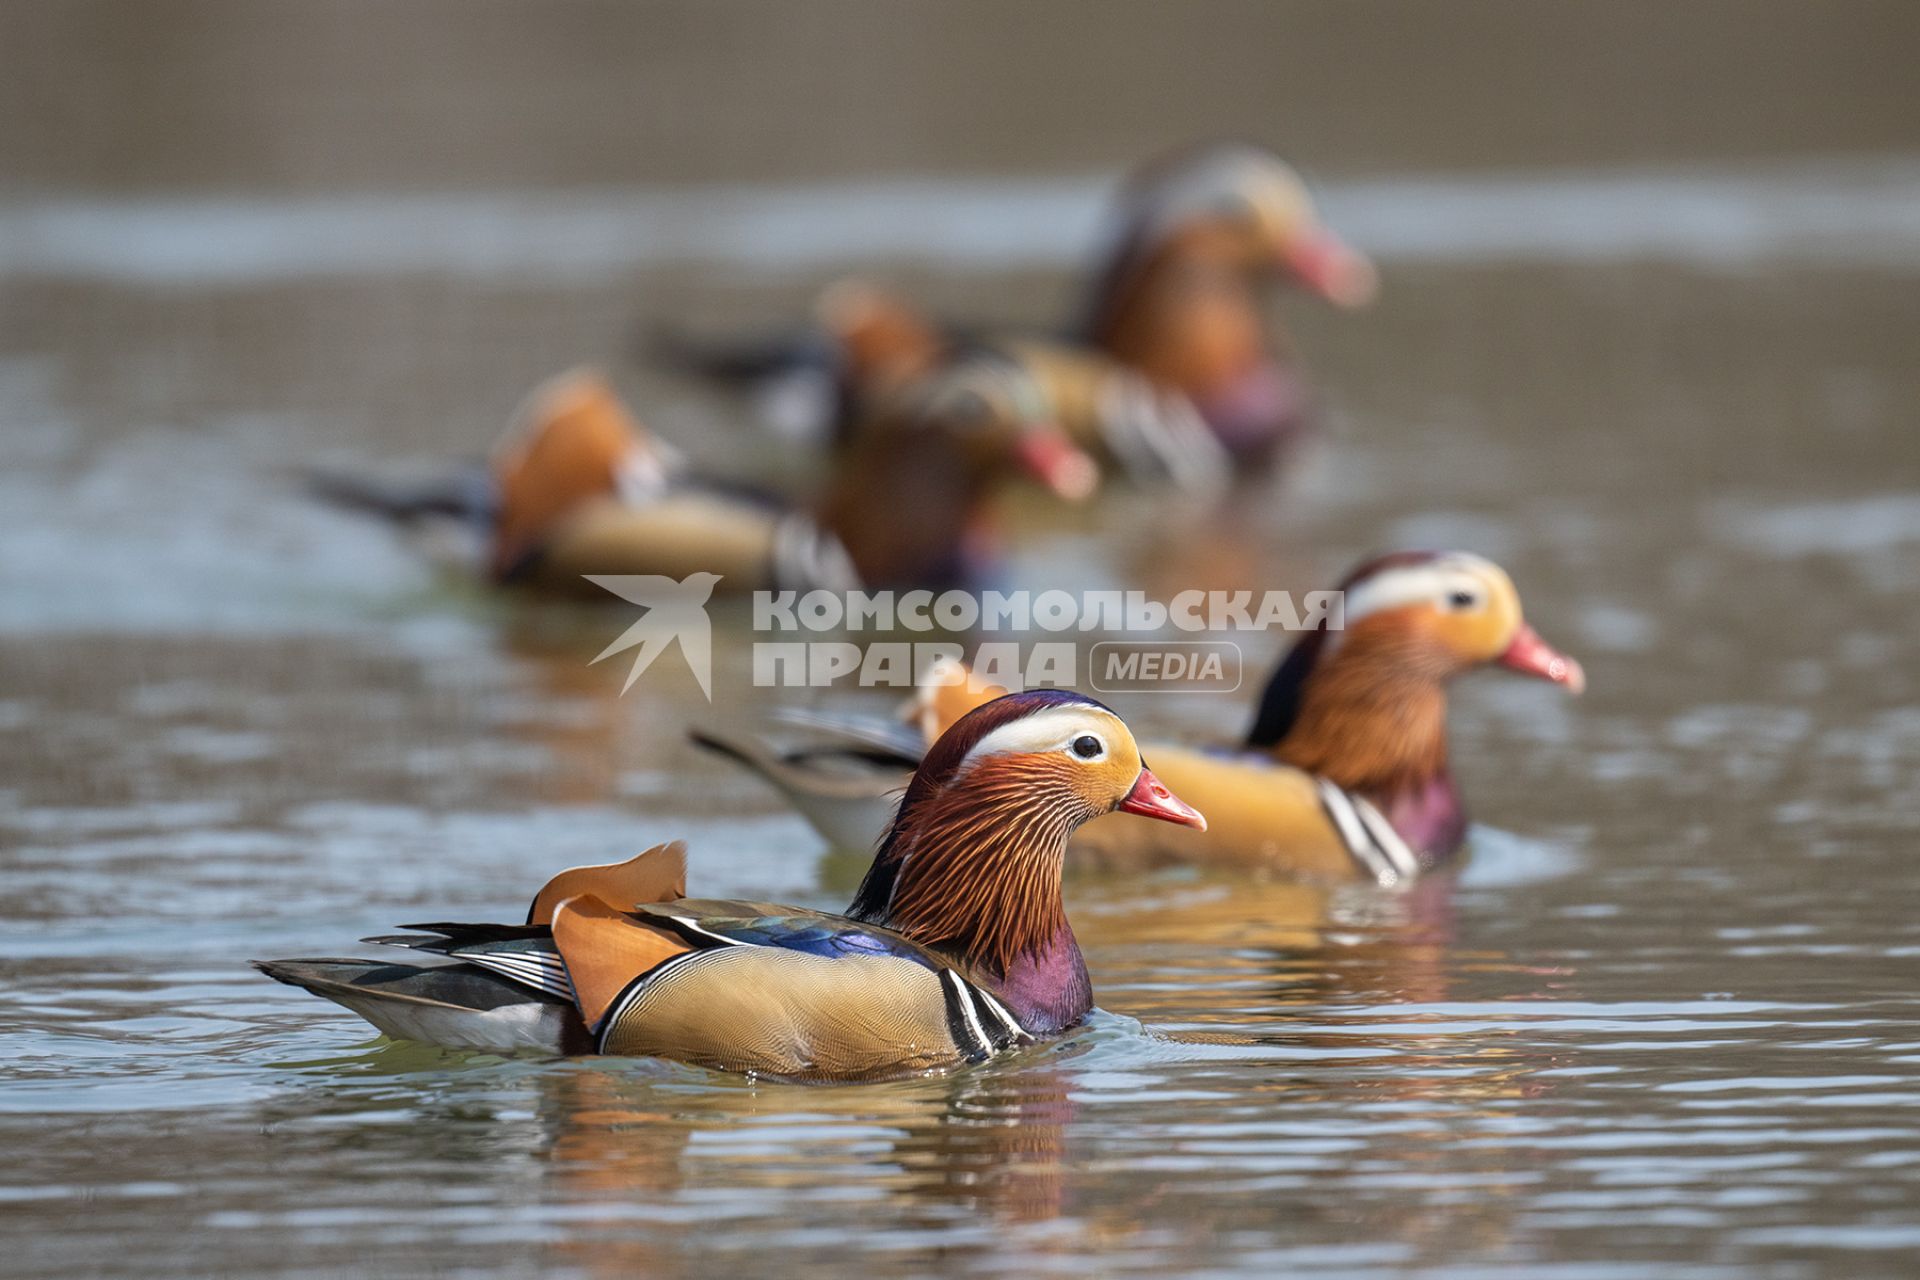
(1666, 1020)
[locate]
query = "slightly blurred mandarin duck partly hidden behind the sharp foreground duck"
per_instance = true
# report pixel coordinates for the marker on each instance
(1345, 772)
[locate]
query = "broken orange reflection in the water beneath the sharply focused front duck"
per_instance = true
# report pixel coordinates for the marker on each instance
(992, 1143)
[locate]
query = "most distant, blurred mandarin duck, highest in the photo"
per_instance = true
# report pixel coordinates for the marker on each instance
(1178, 296)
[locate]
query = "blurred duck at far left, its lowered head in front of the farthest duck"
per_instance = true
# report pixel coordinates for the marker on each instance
(579, 486)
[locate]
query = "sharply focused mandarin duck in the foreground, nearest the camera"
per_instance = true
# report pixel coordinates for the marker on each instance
(955, 947)
